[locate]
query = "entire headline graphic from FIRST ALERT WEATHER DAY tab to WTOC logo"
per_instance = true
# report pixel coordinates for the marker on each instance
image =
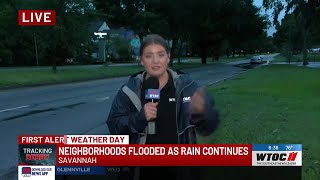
(110, 150)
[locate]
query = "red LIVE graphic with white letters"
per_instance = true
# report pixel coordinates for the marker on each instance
(37, 17)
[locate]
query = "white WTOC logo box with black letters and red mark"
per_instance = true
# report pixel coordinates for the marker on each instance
(277, 158)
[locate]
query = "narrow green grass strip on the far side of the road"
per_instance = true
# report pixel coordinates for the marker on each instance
(30, 77)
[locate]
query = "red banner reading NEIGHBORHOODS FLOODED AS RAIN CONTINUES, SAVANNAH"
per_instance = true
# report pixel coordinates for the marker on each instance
(154, 155)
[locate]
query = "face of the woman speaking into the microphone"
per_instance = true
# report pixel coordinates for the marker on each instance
(155, 59)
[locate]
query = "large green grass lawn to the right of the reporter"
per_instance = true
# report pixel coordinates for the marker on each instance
(273, 104)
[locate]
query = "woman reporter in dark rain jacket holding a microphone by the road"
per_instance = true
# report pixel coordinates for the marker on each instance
(184, 109)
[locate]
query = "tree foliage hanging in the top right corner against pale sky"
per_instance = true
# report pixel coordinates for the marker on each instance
(301, 24)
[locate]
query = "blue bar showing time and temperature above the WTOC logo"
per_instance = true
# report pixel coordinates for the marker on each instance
(276, 147)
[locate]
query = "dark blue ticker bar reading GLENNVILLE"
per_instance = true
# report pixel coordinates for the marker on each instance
(80, 170)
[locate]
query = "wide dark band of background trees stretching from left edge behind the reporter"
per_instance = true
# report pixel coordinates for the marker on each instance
(206, 27)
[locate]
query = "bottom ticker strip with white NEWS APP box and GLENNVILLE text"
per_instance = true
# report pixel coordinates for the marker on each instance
(52, 172)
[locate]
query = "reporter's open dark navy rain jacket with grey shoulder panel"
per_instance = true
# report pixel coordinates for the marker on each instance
(127, 114)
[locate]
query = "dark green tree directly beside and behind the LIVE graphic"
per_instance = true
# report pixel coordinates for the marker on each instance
(71, 31)
